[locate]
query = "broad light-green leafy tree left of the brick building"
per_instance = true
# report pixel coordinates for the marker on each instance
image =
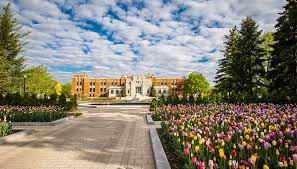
(39, 80)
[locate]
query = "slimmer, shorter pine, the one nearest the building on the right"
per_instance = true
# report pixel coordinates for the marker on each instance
(224, 75)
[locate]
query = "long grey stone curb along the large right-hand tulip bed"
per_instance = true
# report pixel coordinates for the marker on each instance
(160, 158)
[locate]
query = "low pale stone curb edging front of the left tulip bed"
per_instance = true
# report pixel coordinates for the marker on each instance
(53, 123)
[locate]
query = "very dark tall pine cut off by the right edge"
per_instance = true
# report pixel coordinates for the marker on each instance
(284, 56)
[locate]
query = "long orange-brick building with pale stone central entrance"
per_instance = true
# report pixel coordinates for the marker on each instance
(130, 86)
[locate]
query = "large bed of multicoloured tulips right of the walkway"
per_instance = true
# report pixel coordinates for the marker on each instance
(232, 136)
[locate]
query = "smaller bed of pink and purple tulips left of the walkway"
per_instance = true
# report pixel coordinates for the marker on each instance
(31, 114)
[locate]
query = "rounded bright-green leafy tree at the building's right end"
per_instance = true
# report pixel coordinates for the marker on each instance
(196, 84)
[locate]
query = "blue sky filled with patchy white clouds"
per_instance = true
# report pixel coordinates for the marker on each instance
(108, 38)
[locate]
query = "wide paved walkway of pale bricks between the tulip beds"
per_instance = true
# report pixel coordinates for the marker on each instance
(114, 137)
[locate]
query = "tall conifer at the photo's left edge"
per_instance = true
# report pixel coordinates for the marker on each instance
(11, 44)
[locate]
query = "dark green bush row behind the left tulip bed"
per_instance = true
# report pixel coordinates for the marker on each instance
(15, 99)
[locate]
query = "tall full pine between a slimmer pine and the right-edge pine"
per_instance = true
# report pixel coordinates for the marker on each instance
(249, 59)
